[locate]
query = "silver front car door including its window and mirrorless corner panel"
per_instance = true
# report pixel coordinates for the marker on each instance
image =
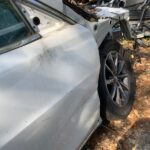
(48, 81)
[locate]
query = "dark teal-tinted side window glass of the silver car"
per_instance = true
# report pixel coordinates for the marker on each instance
(12, 28)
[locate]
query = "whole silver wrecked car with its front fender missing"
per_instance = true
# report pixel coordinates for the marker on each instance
(61, 73)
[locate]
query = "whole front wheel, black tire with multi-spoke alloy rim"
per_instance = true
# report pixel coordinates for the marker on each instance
(116, 86)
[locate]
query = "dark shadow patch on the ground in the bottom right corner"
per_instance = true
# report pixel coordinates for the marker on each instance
(137, 137)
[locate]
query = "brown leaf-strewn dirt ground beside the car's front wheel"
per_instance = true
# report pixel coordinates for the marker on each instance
(132, 133)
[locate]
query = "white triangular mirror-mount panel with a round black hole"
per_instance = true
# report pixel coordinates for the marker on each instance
(41, 21)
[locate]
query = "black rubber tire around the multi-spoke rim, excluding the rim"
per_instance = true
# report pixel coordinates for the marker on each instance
(113, 111)
